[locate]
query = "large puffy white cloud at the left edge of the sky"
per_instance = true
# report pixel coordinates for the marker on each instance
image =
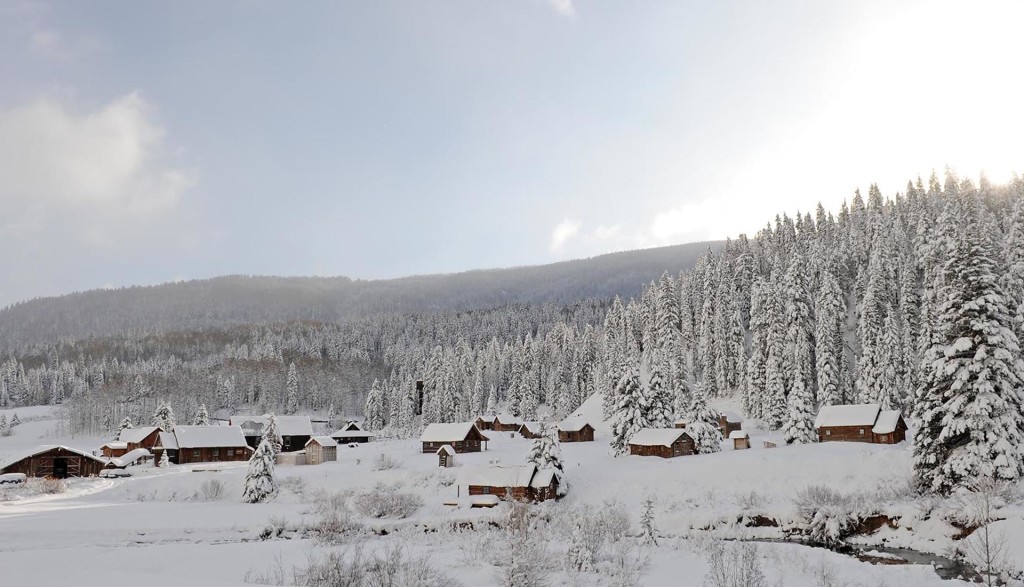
(94, 176)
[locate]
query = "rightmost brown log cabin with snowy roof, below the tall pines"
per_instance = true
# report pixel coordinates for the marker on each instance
(861, 424)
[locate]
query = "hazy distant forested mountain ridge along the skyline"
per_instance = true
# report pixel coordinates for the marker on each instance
(236, 301)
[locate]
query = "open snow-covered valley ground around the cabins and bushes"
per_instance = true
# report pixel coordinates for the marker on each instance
(167, 527)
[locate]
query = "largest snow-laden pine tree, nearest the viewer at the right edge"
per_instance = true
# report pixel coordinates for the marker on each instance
(972, 424)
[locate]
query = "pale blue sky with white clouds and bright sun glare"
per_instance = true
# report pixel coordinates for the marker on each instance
(143, 143)
